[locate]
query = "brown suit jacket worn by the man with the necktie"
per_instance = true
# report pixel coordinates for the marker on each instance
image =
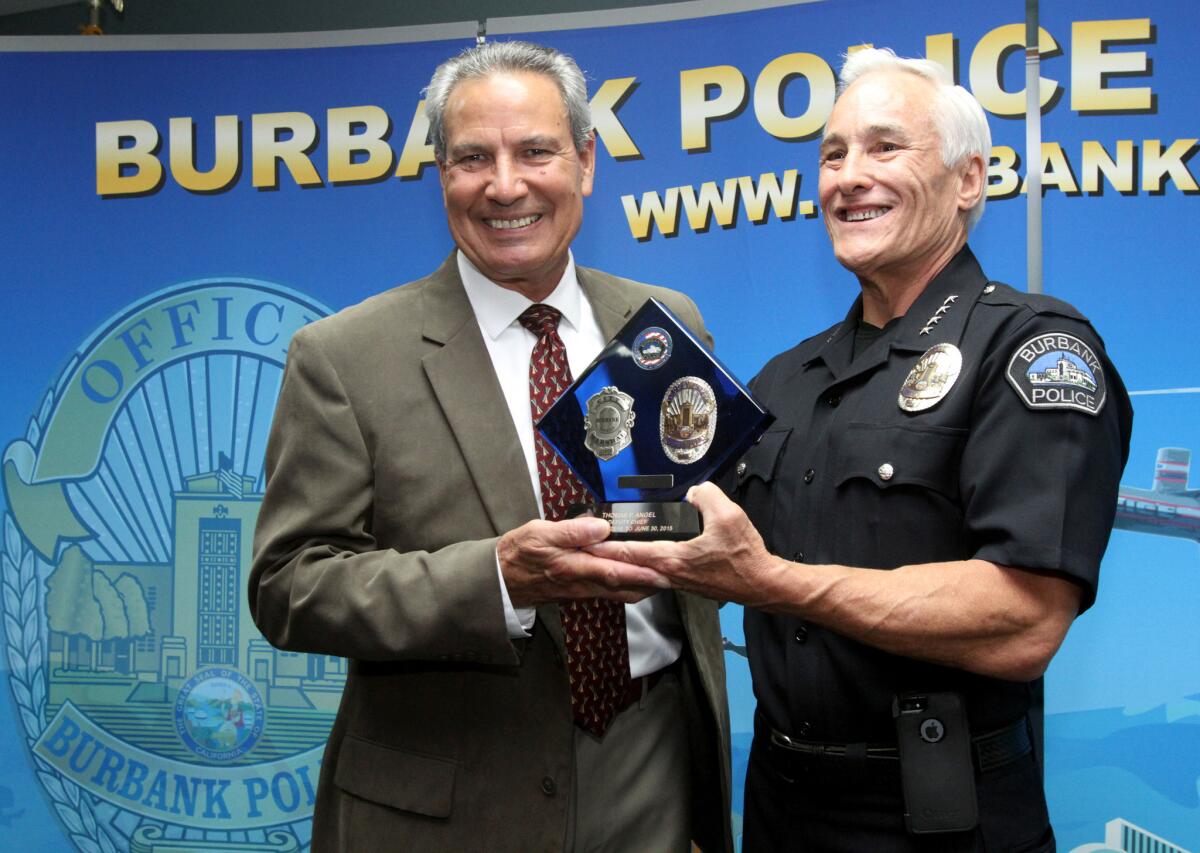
(393, 470)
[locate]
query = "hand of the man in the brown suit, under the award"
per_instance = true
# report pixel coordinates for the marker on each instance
(545, 562)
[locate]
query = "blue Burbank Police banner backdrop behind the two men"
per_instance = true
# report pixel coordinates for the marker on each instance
(172, 217)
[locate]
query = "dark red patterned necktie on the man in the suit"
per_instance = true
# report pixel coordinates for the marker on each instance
(595, 629)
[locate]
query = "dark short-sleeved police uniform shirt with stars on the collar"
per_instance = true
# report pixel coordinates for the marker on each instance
(848, 477)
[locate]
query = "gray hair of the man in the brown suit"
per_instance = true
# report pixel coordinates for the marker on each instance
(496, 58)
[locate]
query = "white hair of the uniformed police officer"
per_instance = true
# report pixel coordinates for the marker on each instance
(961, 121)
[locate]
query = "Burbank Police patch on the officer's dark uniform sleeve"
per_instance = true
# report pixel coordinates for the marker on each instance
(1058, 371)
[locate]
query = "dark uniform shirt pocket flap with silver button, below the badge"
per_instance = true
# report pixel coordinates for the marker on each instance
(892, 456)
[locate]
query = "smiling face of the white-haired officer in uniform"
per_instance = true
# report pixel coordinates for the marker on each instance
(895, 212)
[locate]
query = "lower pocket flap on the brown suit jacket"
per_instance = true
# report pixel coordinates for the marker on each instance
(397, 778)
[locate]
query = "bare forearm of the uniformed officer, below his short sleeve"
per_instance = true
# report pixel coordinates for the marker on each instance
(970, 615)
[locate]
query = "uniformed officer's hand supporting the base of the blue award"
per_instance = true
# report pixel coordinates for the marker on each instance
(728, 562)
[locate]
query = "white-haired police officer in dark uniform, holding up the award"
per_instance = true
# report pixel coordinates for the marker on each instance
(928, 514)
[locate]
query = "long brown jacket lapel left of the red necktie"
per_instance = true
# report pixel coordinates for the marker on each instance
(466, 388)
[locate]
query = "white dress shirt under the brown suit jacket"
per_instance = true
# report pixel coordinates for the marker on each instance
(656, 634)
